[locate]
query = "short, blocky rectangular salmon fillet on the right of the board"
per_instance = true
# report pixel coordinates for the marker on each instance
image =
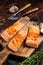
(33, 36)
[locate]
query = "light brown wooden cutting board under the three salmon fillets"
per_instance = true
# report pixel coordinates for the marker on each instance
(24, 51)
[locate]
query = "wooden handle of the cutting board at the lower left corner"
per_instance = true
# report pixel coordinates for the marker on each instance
(3, 55)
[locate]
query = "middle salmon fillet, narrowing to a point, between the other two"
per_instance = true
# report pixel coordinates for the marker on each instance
(18, 39)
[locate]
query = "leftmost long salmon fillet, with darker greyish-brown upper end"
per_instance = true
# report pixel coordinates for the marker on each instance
(8, 33)
